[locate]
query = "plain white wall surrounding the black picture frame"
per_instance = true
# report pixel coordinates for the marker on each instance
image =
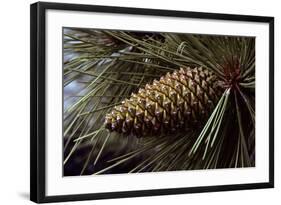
(14, 100)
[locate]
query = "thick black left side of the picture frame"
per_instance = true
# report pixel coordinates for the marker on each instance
(37, 102)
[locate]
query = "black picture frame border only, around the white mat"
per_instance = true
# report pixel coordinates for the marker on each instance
(38, 100)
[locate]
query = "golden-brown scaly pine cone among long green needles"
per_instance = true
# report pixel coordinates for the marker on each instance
(177, 101)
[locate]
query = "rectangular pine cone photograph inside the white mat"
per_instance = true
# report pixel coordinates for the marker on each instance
(146, 101)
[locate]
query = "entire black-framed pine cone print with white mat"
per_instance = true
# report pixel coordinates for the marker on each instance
(129, 102)
